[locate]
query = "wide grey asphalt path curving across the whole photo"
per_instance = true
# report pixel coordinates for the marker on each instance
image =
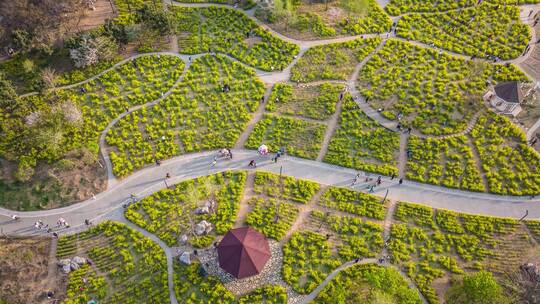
(152, 179)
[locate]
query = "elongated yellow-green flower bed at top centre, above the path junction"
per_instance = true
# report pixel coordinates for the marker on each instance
(225, 30)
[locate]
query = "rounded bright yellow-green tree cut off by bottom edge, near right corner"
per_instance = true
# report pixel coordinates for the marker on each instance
(477, 288)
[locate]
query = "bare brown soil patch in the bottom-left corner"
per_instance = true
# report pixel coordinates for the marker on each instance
(24, 274)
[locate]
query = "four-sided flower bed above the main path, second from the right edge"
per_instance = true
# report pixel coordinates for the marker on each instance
(448, 162)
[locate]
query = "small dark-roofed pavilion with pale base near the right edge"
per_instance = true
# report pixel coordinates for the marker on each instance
(506, 98)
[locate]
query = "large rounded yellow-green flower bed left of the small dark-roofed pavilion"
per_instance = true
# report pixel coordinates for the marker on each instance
(433, 92)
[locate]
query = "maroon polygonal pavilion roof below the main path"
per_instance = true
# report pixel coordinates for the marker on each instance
(243, 252)
